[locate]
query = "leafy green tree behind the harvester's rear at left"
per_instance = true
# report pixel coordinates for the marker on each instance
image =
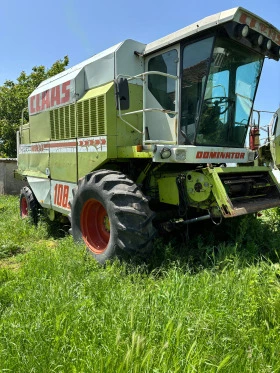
(13, 99)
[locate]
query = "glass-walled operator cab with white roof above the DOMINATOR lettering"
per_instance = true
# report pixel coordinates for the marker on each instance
(208, 83)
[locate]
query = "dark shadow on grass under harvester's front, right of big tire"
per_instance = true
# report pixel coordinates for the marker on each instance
(244, 240)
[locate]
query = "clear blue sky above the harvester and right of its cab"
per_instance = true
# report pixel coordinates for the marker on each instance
(36, 33)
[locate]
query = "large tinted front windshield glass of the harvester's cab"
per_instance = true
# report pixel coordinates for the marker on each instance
(218, 88)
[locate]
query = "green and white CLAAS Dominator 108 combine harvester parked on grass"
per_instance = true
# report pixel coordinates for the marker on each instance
(137, 138)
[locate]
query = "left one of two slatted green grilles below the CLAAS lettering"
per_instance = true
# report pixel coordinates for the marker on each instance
(63, 123)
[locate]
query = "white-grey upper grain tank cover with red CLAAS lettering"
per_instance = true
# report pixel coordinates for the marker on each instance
(71, 84)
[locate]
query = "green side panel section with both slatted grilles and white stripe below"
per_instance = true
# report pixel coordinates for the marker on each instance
(80, 132)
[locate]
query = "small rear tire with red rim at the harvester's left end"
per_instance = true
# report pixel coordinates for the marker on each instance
(29, 207)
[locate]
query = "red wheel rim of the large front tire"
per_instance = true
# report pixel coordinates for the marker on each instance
(95, 226)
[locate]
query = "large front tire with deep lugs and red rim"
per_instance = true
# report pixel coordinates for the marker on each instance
(111, 215)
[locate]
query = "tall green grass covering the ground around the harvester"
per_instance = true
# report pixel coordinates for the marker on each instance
(212, 305)
